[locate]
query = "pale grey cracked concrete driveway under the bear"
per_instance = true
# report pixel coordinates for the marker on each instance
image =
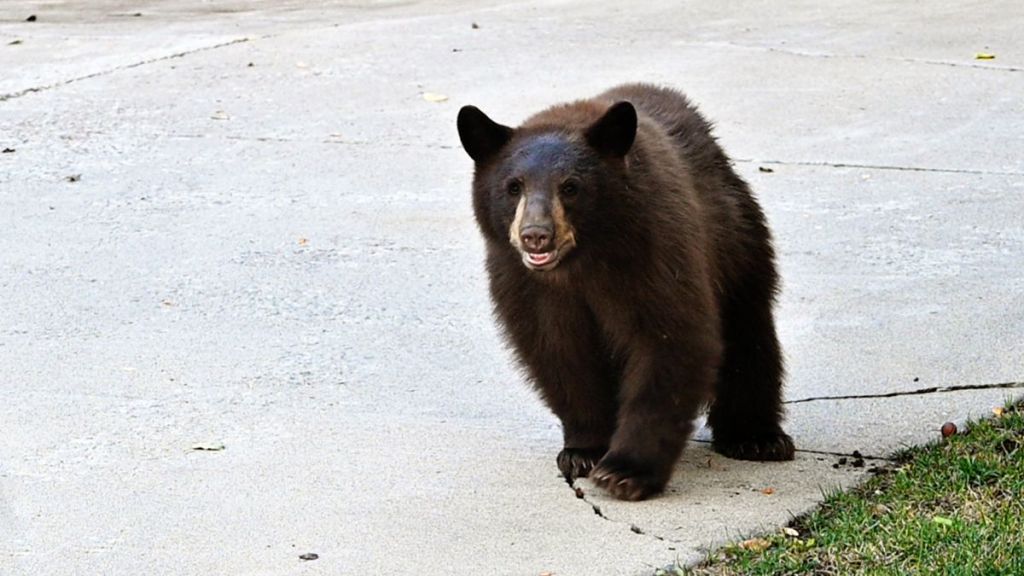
(243, 311)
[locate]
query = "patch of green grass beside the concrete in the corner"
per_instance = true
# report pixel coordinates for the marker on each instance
(953, 508)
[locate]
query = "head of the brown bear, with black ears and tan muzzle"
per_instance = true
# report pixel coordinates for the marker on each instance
(541, 190)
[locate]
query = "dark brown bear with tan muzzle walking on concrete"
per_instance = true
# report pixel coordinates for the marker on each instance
(633, 274)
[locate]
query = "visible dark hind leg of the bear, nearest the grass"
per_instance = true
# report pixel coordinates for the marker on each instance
(746, 417)
